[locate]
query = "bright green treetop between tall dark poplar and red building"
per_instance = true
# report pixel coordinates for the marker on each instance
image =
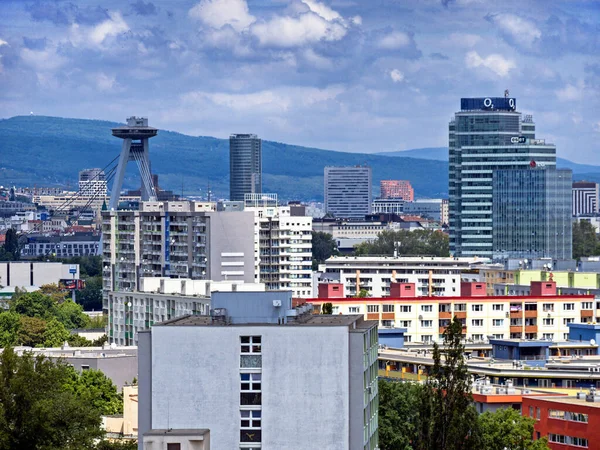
(508, 429)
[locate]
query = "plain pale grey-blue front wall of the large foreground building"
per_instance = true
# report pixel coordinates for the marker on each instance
(305, 399)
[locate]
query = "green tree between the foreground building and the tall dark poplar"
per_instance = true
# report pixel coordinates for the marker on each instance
(398, 414)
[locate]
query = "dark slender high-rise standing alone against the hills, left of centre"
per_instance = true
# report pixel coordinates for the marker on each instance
(245, 165)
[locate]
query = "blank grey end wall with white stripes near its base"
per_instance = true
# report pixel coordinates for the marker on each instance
(231, 233)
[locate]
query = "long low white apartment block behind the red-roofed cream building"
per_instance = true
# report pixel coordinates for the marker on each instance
(433, 276)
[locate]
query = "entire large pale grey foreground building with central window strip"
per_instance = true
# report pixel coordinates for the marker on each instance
(267, 376)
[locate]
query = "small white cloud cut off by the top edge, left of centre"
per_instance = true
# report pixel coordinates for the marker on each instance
(218, 13)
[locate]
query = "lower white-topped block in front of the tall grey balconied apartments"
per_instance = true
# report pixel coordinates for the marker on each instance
(160, 299)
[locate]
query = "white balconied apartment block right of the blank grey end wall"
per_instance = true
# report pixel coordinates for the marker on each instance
(283, 249)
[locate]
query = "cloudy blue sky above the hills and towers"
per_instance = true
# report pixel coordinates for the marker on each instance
(348, 75)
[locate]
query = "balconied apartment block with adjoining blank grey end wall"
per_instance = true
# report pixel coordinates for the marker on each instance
(177, 240)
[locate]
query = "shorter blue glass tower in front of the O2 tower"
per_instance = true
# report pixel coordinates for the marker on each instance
(532, 213)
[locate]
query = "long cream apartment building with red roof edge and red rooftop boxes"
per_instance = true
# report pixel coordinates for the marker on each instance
(541, 314)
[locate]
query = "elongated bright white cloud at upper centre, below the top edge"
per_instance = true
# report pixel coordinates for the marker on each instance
(296, 31)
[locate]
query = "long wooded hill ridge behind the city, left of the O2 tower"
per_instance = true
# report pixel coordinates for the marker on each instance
(40, 150)
